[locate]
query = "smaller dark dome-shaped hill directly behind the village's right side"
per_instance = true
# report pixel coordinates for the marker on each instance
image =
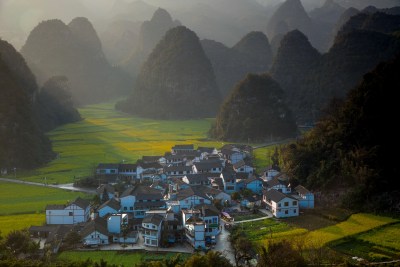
(254, 111)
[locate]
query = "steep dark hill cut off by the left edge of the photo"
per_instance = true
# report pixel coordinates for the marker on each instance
(22, 143)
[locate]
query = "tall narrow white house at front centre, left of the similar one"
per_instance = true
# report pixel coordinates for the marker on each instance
(152, 228)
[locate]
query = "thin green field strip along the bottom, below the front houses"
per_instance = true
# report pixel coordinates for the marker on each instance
(126, 259)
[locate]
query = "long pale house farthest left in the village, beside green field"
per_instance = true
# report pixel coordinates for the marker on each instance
(73, 213)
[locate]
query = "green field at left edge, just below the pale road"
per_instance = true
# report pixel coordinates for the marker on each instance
(20, 198)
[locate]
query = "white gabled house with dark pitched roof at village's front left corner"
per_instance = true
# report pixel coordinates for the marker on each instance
(95, 233)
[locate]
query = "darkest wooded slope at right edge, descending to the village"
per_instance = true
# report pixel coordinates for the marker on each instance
(351, 151)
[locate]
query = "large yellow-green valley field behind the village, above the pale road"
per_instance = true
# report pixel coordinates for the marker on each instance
(106, 135)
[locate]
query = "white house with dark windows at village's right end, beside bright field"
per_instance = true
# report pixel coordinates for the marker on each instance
(280, 204)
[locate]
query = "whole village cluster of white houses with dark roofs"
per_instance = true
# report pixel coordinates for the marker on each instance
(172, 198)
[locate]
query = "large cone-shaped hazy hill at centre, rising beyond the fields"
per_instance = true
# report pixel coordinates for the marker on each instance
(176, 82)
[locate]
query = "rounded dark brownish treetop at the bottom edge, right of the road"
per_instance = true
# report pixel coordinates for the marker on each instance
(280, 254)
